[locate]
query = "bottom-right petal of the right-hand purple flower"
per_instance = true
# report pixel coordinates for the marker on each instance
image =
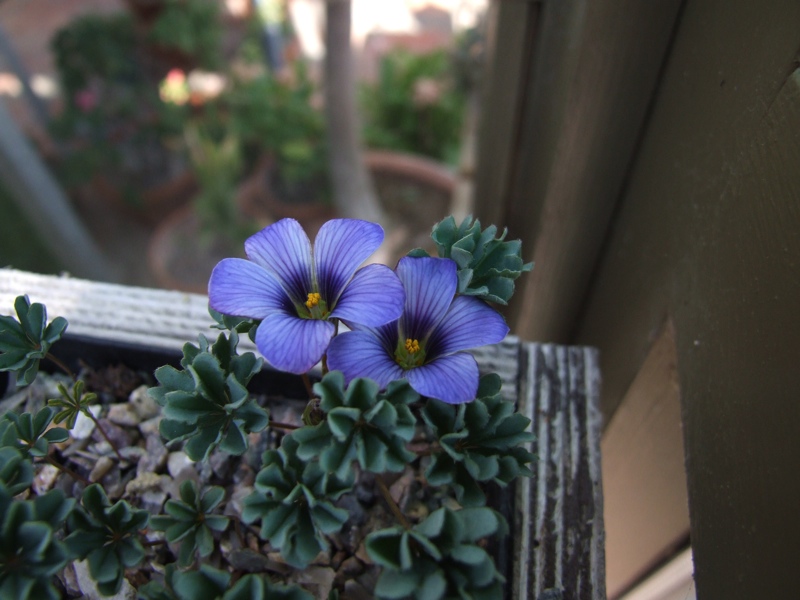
(452, 379)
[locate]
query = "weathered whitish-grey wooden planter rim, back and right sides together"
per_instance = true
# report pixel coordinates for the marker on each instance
(559, 538)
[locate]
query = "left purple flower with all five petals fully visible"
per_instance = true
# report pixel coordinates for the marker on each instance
(297, 290)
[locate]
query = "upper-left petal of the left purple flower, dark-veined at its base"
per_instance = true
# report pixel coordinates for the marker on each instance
(284, 250)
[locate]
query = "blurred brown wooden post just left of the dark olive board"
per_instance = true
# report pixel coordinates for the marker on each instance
(586, 94)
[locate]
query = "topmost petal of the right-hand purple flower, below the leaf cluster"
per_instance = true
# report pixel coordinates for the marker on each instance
(430, 285)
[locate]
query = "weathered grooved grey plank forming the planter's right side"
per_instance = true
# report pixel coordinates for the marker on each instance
(560, 511)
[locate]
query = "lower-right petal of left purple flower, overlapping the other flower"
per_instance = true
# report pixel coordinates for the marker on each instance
(374, 297)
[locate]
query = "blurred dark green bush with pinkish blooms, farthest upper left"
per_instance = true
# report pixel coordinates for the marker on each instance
(112, 121)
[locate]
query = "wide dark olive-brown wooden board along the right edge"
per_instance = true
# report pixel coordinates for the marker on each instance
(708, 233)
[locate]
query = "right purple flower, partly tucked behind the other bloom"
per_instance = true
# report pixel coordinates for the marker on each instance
(425, 345)
